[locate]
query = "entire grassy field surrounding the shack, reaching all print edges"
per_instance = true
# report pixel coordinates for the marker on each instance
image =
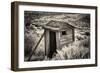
(79, 49)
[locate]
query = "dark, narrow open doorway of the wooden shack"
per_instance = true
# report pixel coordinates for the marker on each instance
(52, 43)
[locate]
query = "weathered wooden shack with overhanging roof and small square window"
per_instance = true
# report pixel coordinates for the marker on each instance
(57, 34)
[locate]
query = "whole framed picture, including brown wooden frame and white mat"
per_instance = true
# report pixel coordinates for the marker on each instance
(53, 36)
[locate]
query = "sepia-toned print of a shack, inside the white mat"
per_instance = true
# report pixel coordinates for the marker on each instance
(56, 36)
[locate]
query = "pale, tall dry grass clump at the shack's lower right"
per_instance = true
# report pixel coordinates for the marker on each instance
(73, 51)
